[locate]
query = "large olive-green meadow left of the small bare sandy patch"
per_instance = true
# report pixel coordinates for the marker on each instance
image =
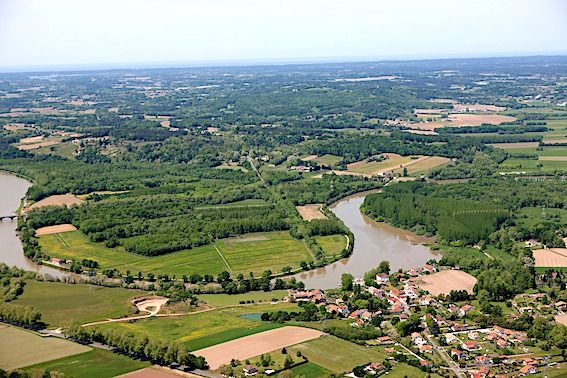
(61, 303)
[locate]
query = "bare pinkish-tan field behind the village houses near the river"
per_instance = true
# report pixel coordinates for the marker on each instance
(446, 280)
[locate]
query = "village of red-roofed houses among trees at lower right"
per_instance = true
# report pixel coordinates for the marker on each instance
(447, 335)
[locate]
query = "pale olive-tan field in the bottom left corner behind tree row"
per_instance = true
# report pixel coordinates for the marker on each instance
(23, 348)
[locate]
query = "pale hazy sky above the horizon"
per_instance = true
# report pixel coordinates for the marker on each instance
(122, 33)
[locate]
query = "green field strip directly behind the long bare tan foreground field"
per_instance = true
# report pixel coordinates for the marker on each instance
(204, 329)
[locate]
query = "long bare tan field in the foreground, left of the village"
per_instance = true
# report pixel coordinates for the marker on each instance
(251, 346)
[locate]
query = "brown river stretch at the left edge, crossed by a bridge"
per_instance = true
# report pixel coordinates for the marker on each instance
(12, 190)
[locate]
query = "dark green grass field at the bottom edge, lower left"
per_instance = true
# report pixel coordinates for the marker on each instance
(96, 363)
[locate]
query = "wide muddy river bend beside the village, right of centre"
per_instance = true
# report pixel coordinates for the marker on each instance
(373, 242)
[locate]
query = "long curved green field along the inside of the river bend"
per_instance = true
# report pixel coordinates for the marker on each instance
(254, 252)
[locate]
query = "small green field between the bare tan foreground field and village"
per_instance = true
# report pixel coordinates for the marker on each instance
(335, 354)
